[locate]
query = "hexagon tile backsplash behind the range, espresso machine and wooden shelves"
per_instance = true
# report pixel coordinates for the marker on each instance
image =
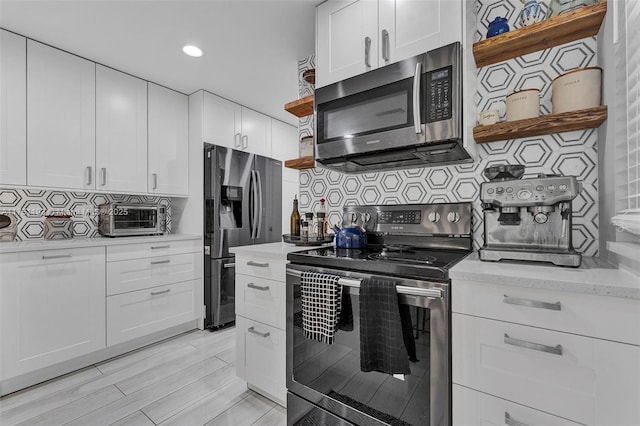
(571, 153)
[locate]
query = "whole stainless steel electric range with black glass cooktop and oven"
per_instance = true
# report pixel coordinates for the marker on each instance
(414, 246)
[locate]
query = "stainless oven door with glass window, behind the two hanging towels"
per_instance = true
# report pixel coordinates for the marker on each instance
(329, 376)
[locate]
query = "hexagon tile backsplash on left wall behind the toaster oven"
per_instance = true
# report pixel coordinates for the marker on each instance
(31, 206)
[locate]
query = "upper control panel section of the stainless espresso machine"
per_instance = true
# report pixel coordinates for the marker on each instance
(530, 192)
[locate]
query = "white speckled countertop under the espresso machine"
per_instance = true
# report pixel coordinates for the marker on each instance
(594, 276)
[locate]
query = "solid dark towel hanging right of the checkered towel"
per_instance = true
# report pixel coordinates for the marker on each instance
(382, 345)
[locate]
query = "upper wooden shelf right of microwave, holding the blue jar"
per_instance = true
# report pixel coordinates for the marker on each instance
(577, 24)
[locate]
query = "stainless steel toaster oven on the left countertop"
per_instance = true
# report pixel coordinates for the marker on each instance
(127, 219)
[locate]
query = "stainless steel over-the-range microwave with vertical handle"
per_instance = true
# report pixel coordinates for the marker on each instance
(406, 114)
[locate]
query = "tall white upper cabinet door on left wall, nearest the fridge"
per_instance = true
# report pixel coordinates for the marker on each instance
(168, 147)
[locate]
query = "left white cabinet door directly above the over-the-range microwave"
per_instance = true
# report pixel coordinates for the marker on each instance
(346, 39)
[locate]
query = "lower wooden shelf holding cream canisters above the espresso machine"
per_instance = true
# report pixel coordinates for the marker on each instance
(589, 118)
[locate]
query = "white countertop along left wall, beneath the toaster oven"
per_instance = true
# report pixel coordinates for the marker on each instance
(32, 245)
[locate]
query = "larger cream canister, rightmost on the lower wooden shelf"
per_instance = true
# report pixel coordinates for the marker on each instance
(577, 89)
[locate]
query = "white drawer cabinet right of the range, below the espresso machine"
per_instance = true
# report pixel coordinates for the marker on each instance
(528, 356)
